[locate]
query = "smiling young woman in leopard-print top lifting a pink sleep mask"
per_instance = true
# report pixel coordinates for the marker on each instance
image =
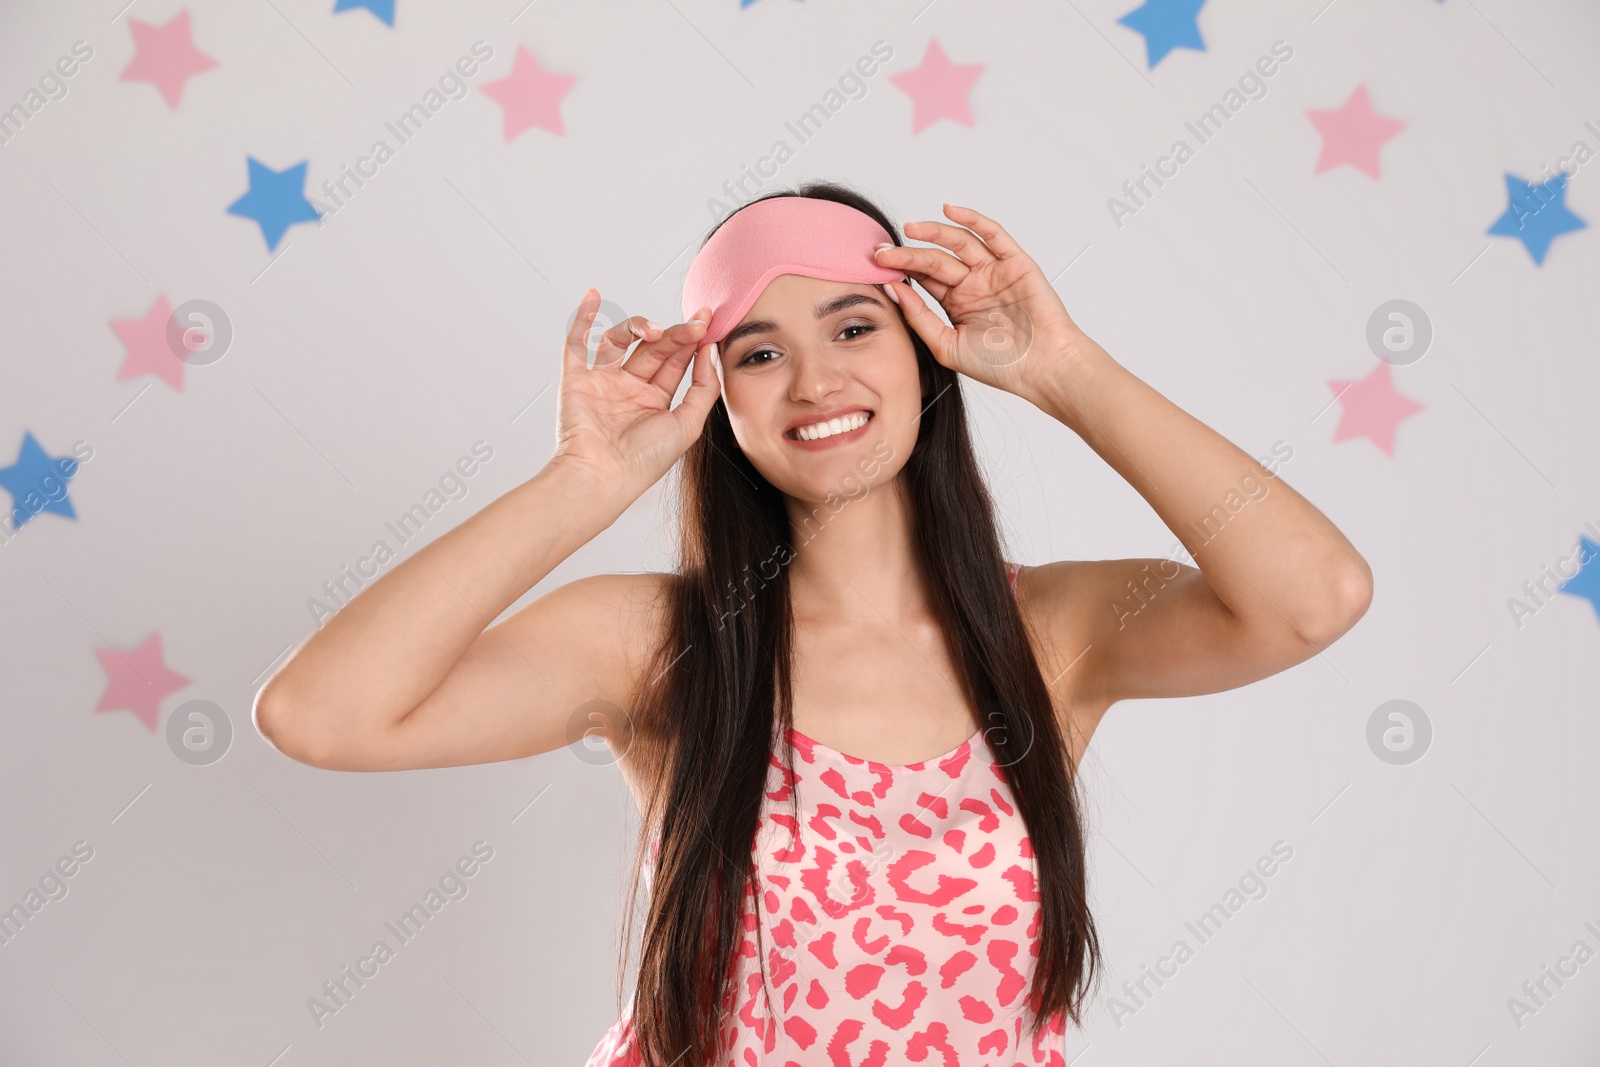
(852, 727)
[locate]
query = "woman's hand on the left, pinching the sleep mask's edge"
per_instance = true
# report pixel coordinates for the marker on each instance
(617, 420)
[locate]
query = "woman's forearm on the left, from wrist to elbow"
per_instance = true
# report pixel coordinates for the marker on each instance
(386, 650)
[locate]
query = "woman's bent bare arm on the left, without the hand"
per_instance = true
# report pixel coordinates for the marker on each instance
(407, 676)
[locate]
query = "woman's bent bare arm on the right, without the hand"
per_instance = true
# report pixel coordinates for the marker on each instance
(1276, 583)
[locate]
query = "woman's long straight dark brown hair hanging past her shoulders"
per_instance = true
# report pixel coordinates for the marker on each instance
(722, 674)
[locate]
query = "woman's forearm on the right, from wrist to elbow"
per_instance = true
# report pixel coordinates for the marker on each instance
(1266, 553)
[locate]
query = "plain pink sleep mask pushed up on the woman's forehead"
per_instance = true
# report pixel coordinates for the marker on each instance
(818, 239)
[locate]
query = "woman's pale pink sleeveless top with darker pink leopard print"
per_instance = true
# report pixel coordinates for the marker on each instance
(898, 921)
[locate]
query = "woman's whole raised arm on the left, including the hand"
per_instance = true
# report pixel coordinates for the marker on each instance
(407, 676)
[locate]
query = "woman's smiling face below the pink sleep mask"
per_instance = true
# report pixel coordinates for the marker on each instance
(814, 359)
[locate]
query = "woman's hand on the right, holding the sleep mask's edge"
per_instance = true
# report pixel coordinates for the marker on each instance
(1010, 329)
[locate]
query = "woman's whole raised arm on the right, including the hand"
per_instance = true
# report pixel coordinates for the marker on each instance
(1276, 580)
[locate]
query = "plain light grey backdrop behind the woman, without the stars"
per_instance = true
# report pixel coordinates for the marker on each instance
(428, 314)
